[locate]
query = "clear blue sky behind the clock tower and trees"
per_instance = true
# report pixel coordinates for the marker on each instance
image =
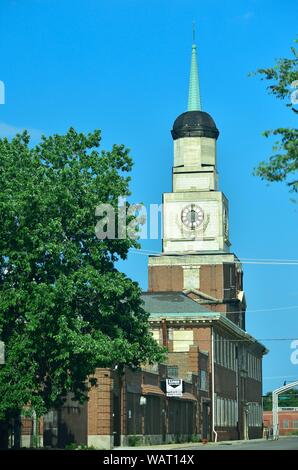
(123, 66)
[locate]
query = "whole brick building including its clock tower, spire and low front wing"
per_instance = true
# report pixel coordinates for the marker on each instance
(196, 304)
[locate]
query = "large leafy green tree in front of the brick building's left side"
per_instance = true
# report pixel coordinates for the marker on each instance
(64, 307)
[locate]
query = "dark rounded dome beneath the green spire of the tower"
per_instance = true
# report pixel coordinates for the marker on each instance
(194, 124)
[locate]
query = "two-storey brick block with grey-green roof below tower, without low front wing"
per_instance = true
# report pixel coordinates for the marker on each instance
(231, 376)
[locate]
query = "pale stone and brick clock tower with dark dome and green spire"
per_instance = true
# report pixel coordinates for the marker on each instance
(196, 256)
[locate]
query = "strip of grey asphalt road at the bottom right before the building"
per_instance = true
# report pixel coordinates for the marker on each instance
(285, 443)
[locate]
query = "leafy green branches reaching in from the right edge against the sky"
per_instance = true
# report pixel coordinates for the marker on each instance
(283, 164)
